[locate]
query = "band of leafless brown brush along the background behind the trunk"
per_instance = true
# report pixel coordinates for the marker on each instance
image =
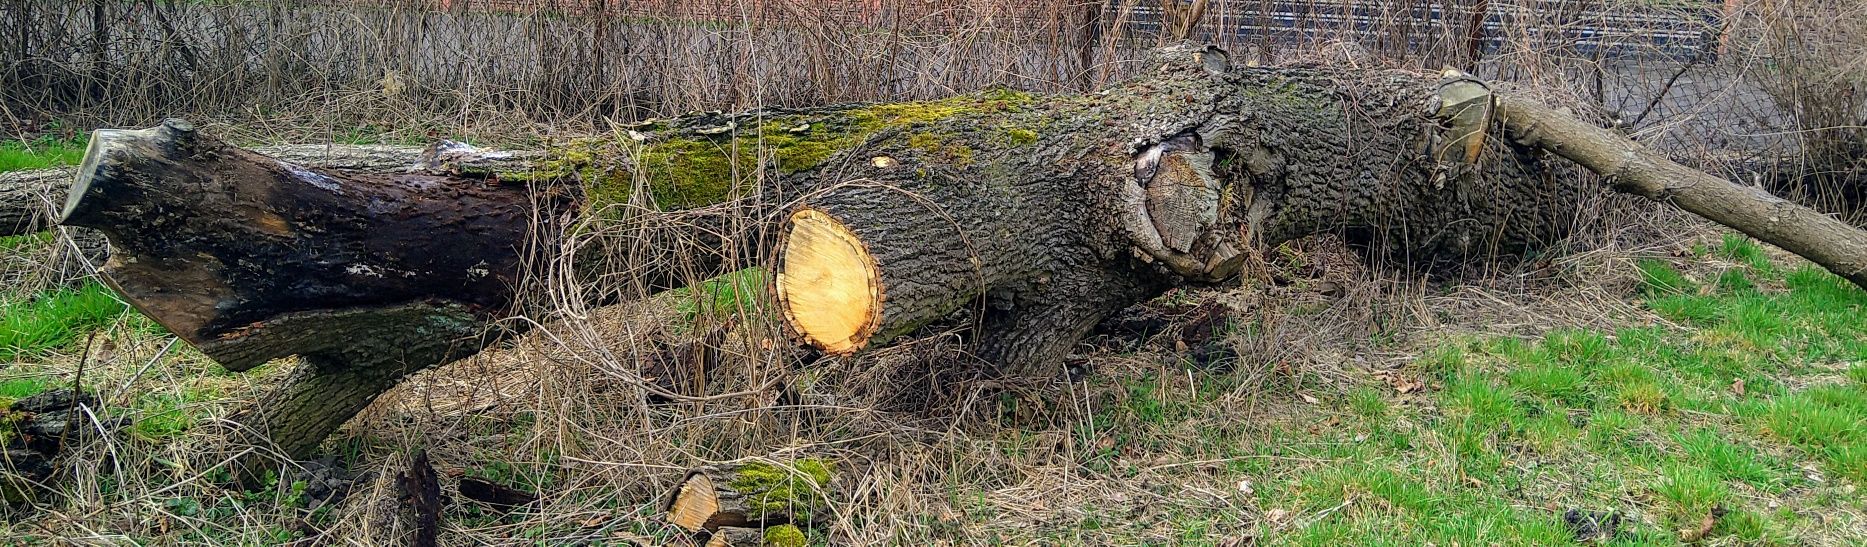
(516, 68)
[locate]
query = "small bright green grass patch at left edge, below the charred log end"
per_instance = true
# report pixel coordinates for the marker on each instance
(53, 320)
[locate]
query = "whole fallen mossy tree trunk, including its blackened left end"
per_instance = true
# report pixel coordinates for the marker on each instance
(1032, 217)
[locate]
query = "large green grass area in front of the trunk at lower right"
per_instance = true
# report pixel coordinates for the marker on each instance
(1663, 425)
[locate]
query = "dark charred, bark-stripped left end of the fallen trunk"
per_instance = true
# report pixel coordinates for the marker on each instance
(251, 259)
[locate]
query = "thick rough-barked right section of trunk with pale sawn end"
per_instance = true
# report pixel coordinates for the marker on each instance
(1142, 188)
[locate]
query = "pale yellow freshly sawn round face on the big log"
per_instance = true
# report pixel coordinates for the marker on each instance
(828, 283)
